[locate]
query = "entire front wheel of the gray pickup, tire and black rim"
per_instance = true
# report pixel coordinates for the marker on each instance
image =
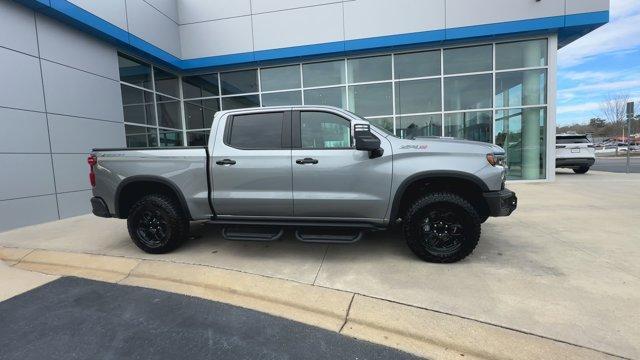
(442, 228)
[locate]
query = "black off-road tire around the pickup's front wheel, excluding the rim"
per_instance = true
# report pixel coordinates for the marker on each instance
(418, 213)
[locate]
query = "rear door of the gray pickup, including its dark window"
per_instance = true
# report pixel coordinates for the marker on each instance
(251, 164)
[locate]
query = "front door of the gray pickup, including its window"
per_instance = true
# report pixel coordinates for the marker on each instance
(331, 179)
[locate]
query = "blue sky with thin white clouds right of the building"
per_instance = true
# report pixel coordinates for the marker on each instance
(604, 63)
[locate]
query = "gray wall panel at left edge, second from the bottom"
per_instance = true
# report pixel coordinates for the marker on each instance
(25, 175)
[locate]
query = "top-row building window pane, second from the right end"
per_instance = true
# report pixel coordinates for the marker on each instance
(468, 59)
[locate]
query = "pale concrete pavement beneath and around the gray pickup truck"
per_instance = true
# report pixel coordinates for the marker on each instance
(562, 267)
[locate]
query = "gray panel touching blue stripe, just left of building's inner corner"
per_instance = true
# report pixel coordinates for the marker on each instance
(150, 25)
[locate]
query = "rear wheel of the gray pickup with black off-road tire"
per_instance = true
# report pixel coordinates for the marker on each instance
(175, 223)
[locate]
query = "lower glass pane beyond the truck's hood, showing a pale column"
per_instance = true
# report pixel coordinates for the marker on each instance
(522, 133)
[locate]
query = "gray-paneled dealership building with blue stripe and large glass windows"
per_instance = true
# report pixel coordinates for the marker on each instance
(81, 74)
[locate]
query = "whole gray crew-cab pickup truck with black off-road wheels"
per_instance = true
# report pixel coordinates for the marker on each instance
(323, 172)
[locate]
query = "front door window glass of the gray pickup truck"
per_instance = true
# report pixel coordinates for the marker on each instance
(322, 130)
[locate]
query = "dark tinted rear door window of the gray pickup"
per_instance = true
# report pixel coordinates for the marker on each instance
(257, 131)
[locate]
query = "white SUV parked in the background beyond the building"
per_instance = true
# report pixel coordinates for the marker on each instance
(575, 152)
